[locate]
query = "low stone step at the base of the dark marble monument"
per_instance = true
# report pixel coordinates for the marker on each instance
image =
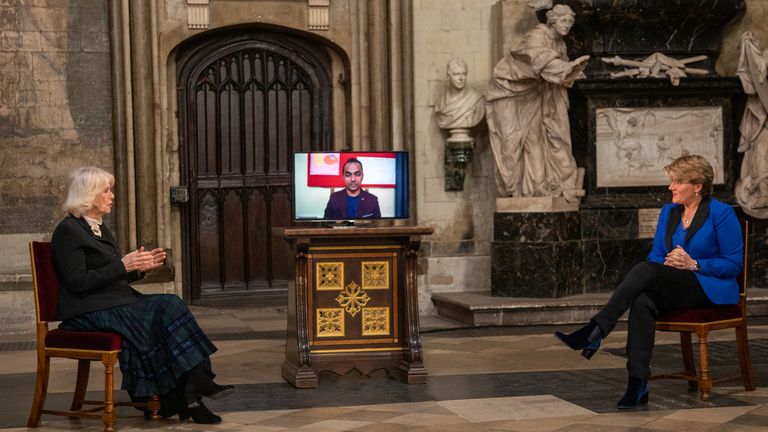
(479, 309)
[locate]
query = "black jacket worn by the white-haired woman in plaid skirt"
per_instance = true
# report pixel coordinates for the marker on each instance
(90, 269)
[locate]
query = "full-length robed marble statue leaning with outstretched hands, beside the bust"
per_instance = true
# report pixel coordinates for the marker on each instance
(527, 113)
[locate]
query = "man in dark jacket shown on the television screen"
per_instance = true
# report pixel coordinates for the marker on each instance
(352, 202)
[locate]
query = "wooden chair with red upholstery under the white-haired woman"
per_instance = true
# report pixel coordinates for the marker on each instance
(84, 347)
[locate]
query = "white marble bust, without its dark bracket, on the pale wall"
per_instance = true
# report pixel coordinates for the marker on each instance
(460, 107)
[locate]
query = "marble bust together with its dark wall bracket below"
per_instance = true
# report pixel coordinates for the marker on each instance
(457, 110)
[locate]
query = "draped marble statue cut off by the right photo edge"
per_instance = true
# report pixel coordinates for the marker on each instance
(752, 187)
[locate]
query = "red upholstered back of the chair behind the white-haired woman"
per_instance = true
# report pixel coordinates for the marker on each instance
(45, 281)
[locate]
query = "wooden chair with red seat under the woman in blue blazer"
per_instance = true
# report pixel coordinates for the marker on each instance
(701, 322)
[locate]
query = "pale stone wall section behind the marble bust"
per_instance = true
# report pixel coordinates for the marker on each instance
(457, 256)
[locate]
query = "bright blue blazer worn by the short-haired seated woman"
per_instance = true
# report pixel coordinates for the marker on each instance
(713, 239)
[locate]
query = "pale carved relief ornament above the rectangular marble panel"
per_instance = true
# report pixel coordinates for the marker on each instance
(657, 65)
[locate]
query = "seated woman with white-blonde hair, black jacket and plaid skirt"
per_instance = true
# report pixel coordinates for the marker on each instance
(164, 350)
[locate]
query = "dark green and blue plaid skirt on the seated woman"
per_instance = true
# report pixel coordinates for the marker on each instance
(161, 341)
